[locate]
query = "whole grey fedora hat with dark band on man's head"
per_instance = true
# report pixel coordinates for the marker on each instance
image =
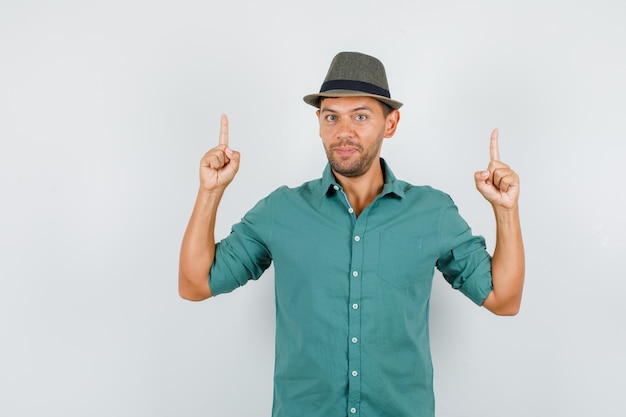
(354, 74)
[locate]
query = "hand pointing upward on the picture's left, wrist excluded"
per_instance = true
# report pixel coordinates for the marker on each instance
(219, 165)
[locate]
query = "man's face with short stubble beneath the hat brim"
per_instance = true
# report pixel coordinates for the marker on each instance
(352, 130)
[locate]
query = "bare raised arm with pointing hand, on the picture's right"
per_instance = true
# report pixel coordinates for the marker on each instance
(499, 184)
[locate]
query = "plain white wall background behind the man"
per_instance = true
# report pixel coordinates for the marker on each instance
(107, 107)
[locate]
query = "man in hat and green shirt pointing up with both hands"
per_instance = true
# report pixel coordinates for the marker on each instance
(354, 254)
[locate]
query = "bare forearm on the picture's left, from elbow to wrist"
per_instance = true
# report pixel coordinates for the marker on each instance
(198, 248)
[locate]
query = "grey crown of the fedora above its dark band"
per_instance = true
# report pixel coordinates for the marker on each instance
(355, 66)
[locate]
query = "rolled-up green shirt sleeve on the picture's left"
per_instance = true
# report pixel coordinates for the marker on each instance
(244, 254)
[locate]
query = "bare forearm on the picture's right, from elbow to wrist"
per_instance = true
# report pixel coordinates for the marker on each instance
(508, 264)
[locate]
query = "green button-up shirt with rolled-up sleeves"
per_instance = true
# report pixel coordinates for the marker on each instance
(352, 294)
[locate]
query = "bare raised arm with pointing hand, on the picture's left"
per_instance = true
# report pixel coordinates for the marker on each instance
(217, 169)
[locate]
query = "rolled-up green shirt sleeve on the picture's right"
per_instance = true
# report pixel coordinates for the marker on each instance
(464, 260)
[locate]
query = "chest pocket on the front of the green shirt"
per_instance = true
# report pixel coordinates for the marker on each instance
(401, 261)
